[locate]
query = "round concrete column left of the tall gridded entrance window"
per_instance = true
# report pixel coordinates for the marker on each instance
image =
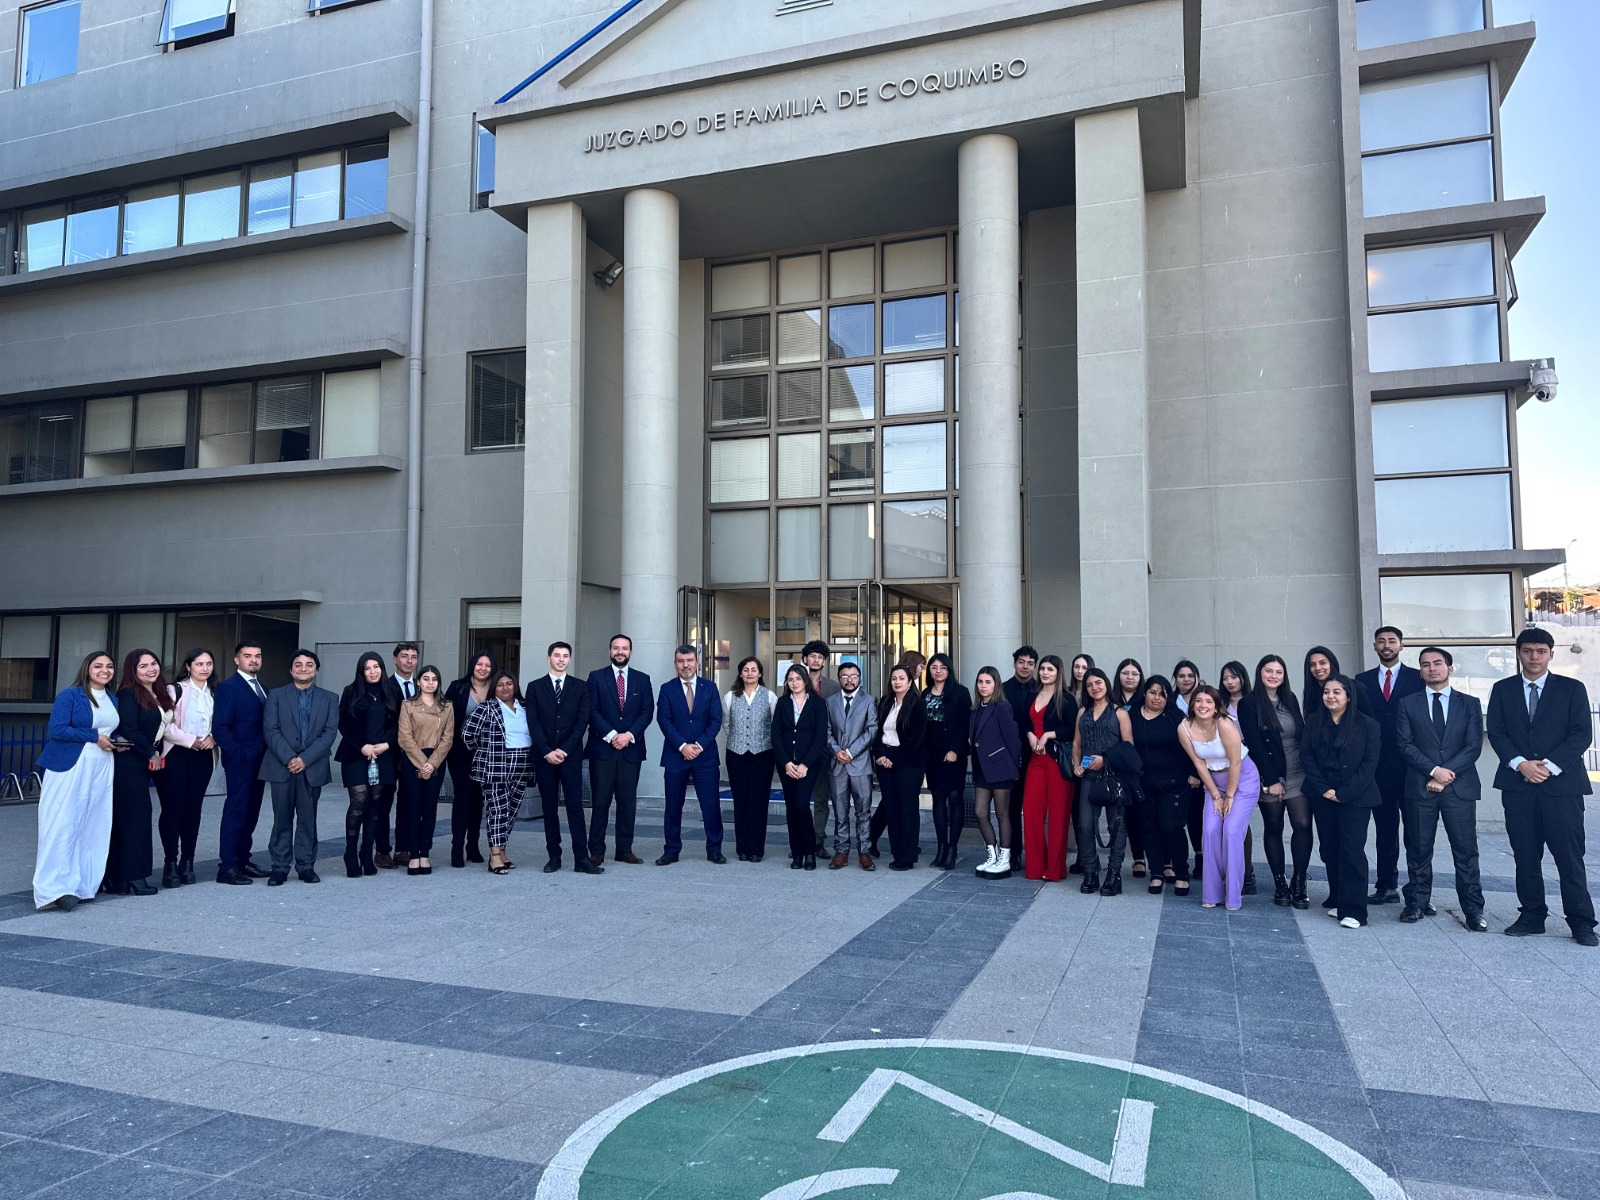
(650, 428)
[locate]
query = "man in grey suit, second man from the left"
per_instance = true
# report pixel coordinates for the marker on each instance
(300, 722)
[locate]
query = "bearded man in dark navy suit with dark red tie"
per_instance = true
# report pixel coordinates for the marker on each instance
(622, 708)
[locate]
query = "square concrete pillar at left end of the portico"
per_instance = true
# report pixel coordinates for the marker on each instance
(553, 463)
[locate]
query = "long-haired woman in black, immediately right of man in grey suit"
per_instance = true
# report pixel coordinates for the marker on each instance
(369, 734)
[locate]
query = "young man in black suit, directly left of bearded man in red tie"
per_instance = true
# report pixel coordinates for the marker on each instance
(558, 718)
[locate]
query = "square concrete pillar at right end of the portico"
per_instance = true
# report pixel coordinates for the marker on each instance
(1114, 489)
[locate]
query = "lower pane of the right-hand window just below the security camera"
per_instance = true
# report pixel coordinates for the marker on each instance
(1444, 514)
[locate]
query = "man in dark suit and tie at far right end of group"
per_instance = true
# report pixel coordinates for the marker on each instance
(1540, 732)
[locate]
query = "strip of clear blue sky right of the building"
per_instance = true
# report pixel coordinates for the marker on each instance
(1551, 148)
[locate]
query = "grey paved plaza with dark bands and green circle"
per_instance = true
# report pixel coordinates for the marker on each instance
(753, 1033)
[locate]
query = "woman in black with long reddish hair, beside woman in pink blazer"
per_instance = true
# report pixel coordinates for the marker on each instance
(143, 710)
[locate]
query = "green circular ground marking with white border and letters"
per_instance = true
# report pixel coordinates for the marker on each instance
(950, 1121)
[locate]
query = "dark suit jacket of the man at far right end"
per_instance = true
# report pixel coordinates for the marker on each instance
(1559, 734)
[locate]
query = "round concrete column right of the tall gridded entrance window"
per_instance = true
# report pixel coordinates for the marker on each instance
(990, 554)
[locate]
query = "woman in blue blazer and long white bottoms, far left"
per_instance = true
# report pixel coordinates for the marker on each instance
(74, 802)
